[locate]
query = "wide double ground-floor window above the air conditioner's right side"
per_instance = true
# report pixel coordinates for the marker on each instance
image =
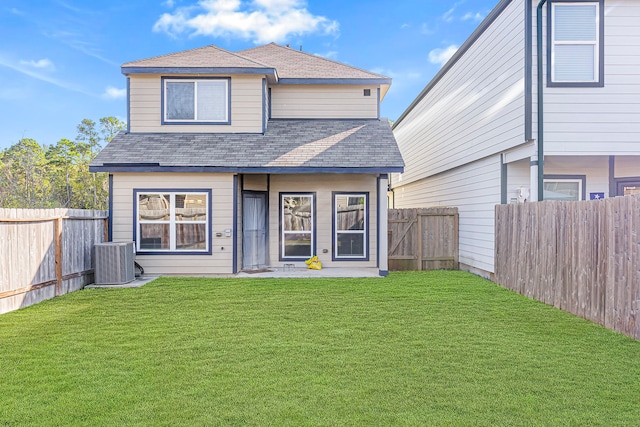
(172, 221)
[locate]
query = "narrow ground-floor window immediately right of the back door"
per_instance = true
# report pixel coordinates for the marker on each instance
(297, 224)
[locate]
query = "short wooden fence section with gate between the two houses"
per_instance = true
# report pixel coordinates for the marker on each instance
(423, 239)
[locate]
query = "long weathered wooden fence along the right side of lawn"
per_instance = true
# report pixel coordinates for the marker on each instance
(581, 257)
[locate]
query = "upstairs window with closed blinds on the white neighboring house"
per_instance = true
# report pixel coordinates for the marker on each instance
(576, 48)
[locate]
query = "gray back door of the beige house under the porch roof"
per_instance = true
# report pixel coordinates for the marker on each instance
(254, 230)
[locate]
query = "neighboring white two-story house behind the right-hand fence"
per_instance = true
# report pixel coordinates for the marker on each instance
(472, 138)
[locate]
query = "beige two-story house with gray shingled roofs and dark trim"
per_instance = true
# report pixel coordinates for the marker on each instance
(241, 161)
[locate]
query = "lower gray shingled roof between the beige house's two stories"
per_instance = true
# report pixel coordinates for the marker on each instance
(288, 146)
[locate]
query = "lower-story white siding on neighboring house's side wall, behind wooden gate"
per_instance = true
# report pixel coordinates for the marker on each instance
(475, 190)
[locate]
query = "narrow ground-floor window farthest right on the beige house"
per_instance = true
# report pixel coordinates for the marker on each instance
(350, 223)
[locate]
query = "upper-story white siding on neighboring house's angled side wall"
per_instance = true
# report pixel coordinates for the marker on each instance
(475, 110)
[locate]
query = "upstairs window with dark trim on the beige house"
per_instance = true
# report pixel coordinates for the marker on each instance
(196, 101)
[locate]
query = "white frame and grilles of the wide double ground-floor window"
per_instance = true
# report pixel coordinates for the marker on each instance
(171, 221)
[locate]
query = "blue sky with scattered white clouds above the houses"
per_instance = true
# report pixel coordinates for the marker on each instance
(60, 59)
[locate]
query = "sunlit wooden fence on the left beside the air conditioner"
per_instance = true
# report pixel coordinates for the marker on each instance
(46, 252)
